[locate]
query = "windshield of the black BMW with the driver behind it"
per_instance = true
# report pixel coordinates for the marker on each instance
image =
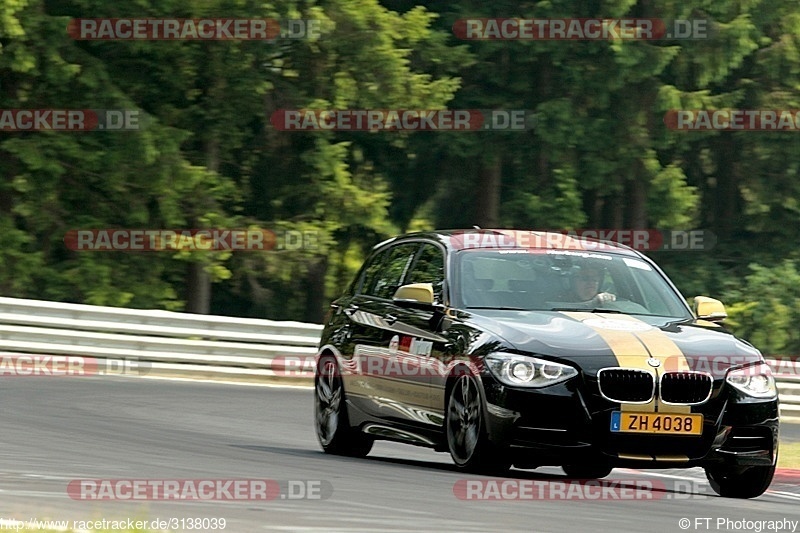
(562, 280)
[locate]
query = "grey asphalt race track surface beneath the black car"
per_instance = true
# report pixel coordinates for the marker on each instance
(56, 430)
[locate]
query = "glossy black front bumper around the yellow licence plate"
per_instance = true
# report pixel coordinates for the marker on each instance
(570, 423)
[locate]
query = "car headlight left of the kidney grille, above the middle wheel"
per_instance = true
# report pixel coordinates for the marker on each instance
(526, 371)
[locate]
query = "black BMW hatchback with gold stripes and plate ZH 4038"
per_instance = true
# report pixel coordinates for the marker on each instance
(506, 347)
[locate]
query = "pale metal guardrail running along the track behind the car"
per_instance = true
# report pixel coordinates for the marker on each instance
(213, 346)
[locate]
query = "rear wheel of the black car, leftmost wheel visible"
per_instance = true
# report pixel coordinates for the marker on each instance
(330, 414)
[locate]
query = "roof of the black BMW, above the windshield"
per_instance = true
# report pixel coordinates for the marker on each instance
(487, 239)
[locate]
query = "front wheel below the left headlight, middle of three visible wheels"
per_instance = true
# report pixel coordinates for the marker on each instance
(465, 430)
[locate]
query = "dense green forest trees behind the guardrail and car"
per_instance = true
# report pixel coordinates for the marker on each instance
(599, 156)
